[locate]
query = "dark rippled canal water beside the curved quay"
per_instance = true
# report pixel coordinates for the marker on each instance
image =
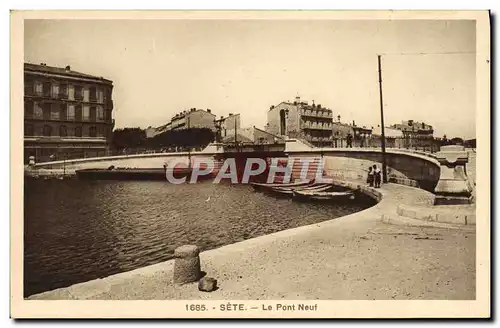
(75, 231)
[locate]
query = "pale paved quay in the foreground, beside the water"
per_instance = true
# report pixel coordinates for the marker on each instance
(353, 257)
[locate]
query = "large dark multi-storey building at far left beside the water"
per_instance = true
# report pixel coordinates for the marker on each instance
(67, 114)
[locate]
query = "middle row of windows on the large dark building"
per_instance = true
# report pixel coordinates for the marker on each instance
(63, 111)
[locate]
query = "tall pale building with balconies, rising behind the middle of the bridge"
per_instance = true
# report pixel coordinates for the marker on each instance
(312, 123)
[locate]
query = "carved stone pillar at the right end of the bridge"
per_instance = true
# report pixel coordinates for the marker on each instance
(453, 186)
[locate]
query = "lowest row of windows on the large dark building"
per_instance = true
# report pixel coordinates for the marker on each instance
(64, 131)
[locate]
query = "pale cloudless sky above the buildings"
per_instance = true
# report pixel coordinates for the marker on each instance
(161, 67)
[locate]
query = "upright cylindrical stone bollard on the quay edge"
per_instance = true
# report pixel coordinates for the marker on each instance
(187, 264)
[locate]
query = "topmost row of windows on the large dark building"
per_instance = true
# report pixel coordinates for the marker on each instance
(65, 91)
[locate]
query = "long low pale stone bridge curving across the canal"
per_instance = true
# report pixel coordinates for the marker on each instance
(406, 167)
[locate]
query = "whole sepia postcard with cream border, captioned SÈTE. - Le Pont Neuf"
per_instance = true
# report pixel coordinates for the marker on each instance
(250, 164)
